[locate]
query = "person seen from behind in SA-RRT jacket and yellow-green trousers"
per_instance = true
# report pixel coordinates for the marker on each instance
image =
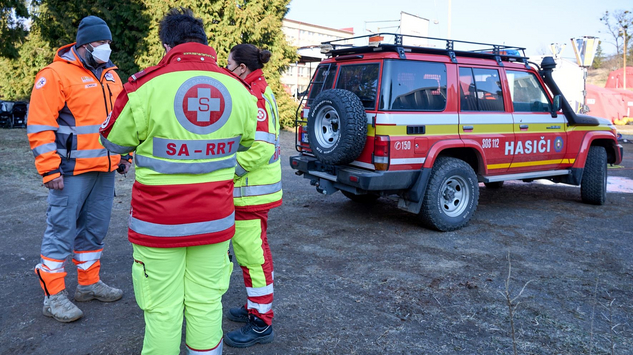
(186, 119)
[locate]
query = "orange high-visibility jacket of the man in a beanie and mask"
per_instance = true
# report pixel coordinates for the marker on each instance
(68, 105)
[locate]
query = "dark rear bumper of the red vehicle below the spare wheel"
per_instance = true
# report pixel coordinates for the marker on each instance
(350, 176)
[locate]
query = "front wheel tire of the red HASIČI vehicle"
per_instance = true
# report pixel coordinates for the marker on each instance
(593, 186)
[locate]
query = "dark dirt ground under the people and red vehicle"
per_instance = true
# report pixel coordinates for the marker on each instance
(355, 279)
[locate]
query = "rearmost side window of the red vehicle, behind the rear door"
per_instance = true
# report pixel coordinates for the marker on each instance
(413, 86)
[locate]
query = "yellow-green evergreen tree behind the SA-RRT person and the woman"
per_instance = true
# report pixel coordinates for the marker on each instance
(228, 23)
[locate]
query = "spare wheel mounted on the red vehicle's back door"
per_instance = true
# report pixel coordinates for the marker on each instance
(337, 127)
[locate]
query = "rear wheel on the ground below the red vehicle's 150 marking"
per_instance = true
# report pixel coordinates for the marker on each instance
(452, 195)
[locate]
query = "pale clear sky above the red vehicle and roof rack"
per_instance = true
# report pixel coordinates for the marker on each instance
(533, 24)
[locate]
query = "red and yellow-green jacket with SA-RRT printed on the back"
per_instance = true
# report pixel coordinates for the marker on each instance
(186, 120)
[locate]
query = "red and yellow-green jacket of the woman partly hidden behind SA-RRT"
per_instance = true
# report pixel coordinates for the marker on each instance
(258, 173)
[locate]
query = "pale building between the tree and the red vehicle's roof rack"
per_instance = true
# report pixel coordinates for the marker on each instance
(307, 38)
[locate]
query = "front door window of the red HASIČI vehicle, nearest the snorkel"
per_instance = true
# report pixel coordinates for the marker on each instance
(527, 93)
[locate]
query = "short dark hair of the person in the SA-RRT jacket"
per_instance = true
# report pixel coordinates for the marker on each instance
(180, 26)
